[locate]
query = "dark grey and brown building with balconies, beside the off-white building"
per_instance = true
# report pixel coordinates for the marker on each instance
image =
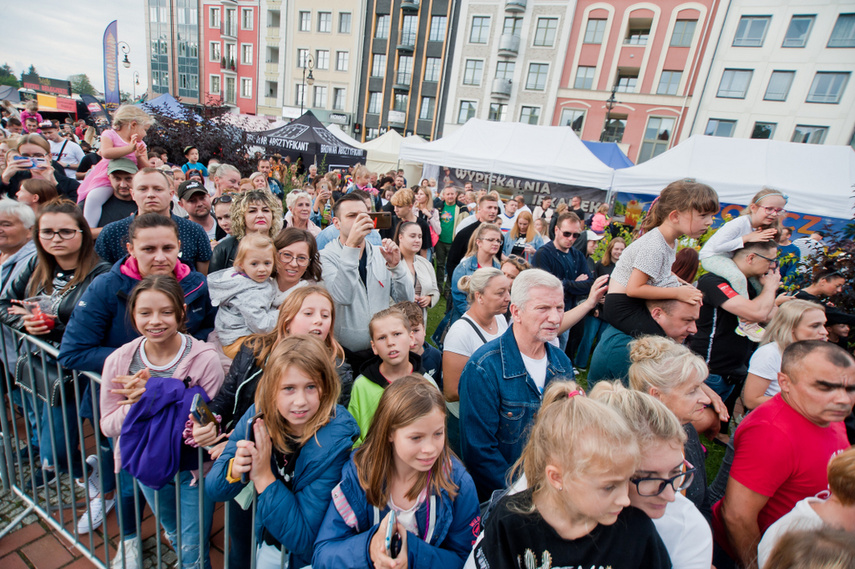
(407, 48)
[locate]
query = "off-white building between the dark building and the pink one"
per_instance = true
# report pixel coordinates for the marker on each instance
(508, 59)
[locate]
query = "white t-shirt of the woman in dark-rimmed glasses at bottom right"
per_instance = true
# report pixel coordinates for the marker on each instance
(686, 535)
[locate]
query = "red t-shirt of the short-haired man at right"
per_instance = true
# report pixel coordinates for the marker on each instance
(782, 455)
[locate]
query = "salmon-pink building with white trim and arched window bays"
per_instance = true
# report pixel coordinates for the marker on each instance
(631, 69)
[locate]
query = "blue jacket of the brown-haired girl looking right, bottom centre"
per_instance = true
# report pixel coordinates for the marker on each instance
(447, 527)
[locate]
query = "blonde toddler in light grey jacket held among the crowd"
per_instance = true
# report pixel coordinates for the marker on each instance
(245, 293)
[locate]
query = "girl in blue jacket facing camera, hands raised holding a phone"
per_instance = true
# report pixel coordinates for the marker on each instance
(299, 448)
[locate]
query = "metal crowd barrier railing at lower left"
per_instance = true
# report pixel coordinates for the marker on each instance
(45, 482)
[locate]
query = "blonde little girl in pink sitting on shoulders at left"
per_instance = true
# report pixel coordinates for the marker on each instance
(124, 140)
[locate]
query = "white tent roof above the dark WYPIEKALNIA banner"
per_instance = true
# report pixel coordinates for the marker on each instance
(548, 153)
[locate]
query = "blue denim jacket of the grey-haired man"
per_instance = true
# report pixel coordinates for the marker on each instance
(498, 402)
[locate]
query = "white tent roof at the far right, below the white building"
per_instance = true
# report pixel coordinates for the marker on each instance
(818, 179)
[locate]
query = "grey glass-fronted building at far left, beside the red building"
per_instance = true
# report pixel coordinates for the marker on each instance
(172, 28)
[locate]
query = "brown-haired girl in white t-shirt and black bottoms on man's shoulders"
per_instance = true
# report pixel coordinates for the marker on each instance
(643, 271)
